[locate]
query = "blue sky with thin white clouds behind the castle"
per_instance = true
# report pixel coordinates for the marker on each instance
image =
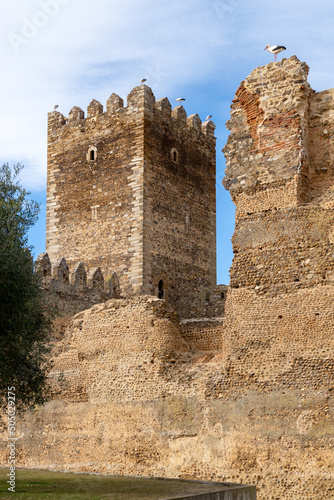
(68, 52)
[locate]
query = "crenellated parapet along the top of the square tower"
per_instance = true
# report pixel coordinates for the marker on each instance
(141, 99)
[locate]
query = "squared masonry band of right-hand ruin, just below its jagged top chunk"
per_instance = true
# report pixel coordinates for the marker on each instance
(283, 250)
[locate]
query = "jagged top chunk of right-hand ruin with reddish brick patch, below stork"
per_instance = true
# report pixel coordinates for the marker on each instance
(266, 152)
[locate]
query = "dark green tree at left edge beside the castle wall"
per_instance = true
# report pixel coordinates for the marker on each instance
(23, 327)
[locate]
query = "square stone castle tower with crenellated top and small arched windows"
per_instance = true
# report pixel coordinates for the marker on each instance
(132, 191)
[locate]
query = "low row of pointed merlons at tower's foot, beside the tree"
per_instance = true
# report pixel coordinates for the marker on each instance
(76, 283)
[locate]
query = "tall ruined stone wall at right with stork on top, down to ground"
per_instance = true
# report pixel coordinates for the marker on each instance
(279, 318)
